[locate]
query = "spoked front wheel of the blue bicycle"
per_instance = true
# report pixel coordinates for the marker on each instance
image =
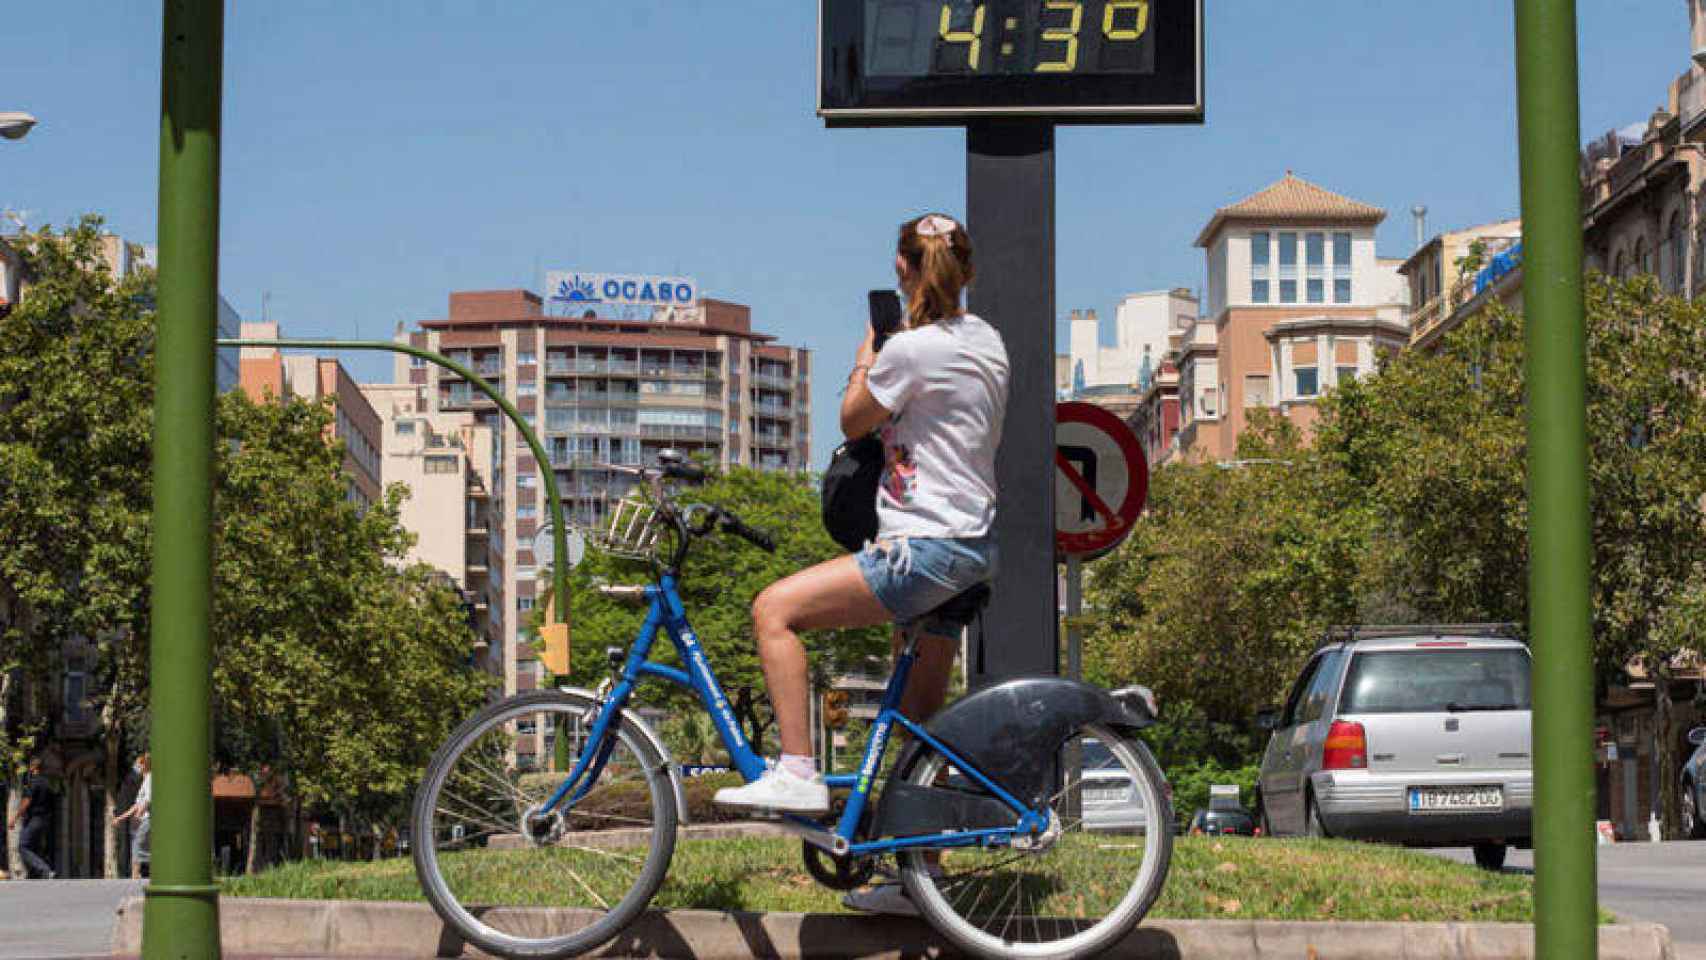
(518, 881)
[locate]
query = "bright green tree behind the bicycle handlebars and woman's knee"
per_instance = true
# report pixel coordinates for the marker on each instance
(719, 586)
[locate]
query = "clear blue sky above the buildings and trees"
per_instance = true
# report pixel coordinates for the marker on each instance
(386, 153)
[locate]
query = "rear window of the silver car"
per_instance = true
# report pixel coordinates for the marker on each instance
(1437, 681)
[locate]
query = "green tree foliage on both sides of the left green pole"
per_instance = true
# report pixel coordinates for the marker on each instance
(334, 668)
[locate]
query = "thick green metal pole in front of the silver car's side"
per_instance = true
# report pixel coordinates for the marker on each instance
(1565, 884)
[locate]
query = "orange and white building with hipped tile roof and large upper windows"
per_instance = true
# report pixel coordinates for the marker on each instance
(1299, 303)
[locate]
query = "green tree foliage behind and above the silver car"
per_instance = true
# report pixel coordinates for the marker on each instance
(1410, 507)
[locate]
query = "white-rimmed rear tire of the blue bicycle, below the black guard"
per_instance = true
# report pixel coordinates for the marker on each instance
(927, 889)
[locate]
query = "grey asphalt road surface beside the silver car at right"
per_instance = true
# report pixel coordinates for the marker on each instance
(1644, 882)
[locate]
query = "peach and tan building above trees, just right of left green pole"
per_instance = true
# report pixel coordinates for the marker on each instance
(267, 374)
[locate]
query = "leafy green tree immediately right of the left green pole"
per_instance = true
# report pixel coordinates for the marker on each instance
(335, 671)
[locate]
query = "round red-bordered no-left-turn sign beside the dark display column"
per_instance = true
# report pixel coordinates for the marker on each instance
(1101, 480)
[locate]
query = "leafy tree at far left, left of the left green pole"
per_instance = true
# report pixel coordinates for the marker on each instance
(76, 424)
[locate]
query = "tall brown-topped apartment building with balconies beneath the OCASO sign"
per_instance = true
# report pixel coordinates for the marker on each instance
(601, 393)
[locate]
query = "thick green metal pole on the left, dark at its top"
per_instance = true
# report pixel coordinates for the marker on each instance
(182, 913)
